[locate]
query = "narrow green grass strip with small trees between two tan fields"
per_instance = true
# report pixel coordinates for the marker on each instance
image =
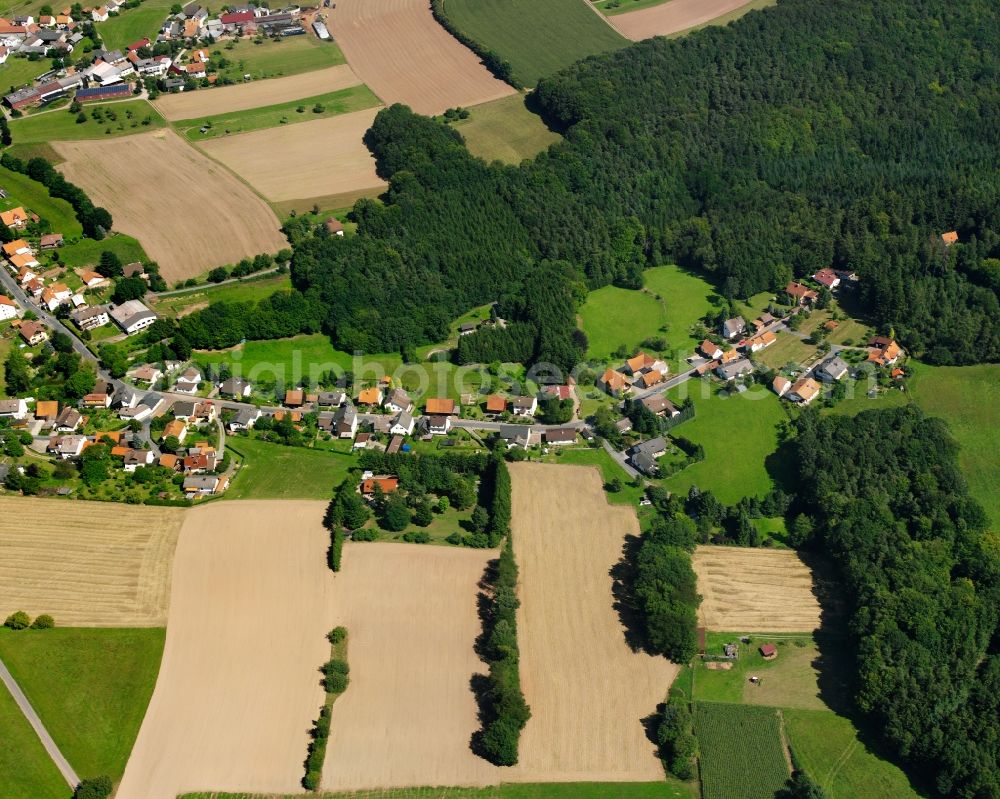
(353, 98)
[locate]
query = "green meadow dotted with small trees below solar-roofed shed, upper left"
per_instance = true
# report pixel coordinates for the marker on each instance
(118, 118)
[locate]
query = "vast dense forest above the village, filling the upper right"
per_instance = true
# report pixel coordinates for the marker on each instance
(753, 154)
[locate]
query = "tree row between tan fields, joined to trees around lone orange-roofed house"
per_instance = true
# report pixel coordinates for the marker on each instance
(503, 710)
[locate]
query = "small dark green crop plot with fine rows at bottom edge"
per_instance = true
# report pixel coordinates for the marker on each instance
(741, 749)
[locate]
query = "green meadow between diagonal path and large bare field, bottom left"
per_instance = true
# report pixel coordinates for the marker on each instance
(89, 686)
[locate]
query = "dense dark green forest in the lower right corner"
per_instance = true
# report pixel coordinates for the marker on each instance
(889, 505)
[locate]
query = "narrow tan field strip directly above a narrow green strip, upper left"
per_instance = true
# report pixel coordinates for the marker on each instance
(256, 94)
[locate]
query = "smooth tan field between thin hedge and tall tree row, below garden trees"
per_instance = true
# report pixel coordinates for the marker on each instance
(409, 712)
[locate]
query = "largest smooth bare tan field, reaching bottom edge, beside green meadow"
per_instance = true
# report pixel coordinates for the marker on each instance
(239, 682)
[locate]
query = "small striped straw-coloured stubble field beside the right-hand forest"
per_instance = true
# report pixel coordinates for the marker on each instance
(755, 590)
